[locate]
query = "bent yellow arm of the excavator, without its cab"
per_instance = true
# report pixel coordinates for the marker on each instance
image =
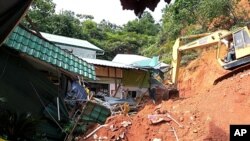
(204, 40)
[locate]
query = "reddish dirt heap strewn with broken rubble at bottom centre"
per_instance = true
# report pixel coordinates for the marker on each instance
(152, 122)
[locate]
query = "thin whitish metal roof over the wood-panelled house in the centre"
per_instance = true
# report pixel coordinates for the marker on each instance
(107, 63)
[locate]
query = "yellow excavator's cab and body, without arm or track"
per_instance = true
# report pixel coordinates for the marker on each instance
(238, 43)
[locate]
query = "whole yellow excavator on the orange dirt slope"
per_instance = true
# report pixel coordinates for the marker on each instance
(239, 40)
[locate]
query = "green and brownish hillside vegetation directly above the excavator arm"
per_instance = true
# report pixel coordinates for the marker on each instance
(197, 16)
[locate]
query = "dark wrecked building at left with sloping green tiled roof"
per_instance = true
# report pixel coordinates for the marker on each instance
(40, 86)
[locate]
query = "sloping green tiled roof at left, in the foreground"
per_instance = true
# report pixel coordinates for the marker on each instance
(30, 44)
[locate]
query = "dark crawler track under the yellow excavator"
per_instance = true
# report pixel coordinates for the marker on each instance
(232, 73)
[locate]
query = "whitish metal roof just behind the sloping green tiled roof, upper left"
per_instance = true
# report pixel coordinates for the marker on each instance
(70, 41)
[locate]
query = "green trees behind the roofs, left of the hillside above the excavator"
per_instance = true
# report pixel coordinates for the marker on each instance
(133, 37)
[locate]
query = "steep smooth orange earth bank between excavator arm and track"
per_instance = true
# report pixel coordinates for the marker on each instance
(198, 76)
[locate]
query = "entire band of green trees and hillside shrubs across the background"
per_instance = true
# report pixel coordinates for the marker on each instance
(141, 36)
